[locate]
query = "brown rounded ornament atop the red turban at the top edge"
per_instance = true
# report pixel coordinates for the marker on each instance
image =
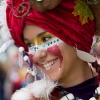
(44, 5)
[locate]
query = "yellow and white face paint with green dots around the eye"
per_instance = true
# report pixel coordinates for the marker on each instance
(43, 42)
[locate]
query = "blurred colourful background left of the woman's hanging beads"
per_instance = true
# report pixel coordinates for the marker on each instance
(12, 77)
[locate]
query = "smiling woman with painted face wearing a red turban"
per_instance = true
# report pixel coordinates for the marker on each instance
(57, 42)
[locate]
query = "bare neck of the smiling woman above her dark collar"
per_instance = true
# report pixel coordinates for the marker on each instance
(79, 74)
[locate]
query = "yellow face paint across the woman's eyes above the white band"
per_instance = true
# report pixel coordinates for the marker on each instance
(40, 39)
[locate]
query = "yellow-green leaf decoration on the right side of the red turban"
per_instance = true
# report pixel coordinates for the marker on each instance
(83, 10)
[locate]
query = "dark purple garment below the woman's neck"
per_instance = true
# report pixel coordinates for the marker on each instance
(83, 90)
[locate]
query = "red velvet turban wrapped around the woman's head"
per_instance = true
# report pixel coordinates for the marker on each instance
(60, 22)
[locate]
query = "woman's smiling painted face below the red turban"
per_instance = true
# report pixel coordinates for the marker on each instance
(54, 57)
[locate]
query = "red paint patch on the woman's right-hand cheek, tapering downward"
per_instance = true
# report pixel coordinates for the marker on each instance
(56, 51)
